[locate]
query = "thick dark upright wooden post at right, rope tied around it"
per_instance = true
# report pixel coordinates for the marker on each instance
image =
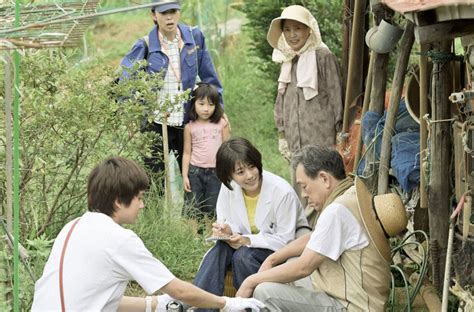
(439, 194)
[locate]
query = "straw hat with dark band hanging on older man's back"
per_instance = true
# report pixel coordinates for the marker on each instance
(384, 216)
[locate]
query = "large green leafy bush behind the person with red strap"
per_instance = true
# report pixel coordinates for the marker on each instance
(72, 117)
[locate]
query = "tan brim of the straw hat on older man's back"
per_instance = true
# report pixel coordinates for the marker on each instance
(372, 225)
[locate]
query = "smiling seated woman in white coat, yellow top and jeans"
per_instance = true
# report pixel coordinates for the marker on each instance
(258, 211)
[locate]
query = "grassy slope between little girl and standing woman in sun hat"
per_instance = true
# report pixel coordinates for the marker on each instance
(249, 102)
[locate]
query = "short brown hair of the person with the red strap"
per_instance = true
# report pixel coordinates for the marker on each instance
(117, 178)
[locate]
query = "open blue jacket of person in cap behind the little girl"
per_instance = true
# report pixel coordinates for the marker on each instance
(195, 60)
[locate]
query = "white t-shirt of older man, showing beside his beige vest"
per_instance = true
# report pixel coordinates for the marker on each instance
(336, 231)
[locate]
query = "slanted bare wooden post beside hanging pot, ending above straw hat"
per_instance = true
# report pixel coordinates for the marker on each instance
(397, 86)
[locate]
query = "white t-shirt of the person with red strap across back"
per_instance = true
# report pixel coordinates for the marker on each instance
(100, 259)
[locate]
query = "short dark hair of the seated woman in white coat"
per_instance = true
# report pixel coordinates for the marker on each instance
(230, 153)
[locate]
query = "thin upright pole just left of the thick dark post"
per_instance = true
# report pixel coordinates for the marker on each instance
(423, 129)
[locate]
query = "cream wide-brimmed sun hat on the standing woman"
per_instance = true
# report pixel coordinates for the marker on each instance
(296, 13)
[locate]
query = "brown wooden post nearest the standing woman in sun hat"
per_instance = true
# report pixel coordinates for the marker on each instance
(356, 64)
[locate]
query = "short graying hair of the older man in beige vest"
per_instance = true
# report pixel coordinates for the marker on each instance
(315, 158)
